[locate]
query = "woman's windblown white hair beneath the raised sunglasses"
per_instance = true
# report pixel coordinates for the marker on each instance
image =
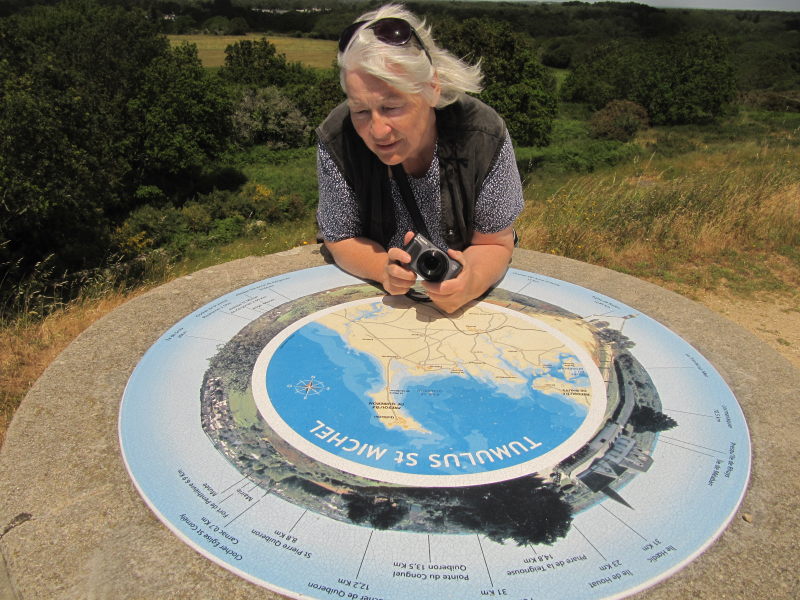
(407, 68)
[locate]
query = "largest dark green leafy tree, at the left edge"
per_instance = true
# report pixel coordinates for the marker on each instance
(95, 106)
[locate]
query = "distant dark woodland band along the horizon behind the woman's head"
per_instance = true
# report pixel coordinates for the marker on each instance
(763, 44)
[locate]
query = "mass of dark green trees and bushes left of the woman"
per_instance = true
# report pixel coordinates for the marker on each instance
(114, 144)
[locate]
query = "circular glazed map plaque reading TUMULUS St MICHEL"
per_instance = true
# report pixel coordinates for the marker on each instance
(325, 441)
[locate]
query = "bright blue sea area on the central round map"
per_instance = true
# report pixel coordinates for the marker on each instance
(316, 382)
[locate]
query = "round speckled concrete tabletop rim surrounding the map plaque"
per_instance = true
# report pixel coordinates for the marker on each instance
(76, 528)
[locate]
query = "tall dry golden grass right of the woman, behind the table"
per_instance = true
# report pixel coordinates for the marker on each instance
(731, 217)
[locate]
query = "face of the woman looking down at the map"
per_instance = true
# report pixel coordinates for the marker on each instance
(400, 128)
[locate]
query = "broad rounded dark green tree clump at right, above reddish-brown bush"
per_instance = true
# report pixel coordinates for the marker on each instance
(688, 79)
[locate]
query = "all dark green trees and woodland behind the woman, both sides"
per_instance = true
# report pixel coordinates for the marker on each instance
(113, 145)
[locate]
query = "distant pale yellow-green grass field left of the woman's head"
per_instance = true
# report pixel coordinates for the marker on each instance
(318, 54)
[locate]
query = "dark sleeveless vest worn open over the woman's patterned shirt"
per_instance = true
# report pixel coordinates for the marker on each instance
(470, 136)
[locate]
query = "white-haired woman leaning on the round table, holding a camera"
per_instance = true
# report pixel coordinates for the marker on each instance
(407, 118)
